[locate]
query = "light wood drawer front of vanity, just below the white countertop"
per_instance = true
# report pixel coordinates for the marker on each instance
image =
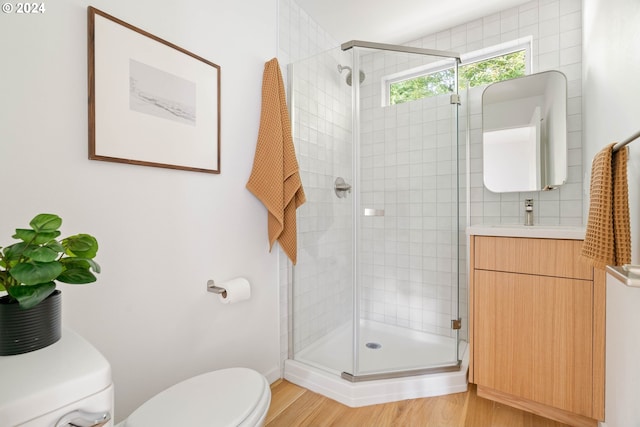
(544, 257)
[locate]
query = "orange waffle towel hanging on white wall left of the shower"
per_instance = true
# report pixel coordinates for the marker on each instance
(275, 177)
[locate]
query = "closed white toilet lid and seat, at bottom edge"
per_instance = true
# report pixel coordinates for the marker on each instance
(227, 397)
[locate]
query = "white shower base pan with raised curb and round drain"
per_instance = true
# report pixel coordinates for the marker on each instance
(318, 368)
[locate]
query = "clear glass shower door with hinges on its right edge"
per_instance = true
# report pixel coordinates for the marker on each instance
(406, 263)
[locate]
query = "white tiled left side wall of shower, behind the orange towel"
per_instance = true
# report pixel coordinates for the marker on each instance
(322, 99)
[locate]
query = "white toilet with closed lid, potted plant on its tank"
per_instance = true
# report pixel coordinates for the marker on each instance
(69, 383)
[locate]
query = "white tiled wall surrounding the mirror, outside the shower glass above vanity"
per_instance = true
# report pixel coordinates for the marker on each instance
(555, 27)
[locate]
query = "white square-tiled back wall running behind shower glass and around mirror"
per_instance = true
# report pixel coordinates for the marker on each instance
(411, 282)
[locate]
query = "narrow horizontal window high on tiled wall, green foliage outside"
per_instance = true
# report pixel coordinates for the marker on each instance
(502, 62)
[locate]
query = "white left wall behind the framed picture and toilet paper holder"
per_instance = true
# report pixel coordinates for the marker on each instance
(163, 233)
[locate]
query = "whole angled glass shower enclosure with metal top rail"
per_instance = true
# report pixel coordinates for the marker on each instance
(375, 293)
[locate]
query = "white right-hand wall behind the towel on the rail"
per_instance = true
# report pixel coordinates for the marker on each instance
(611, 107)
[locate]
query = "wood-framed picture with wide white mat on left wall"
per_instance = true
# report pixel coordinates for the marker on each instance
(151, 102)
